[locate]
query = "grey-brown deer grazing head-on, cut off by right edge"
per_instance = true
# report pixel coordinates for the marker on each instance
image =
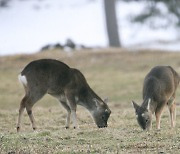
(159, 89)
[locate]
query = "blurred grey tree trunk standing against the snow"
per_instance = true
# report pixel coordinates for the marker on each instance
(111, 23)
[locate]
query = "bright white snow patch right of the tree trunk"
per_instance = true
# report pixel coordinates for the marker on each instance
(137, 35)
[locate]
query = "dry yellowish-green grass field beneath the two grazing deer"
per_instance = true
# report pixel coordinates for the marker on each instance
(116, 74)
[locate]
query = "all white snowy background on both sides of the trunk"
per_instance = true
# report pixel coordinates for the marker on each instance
(26, 26)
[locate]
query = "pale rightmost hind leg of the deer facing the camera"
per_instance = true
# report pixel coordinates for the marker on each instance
(172, 111)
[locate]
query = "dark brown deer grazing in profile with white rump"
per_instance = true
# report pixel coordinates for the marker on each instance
(66, 84)
